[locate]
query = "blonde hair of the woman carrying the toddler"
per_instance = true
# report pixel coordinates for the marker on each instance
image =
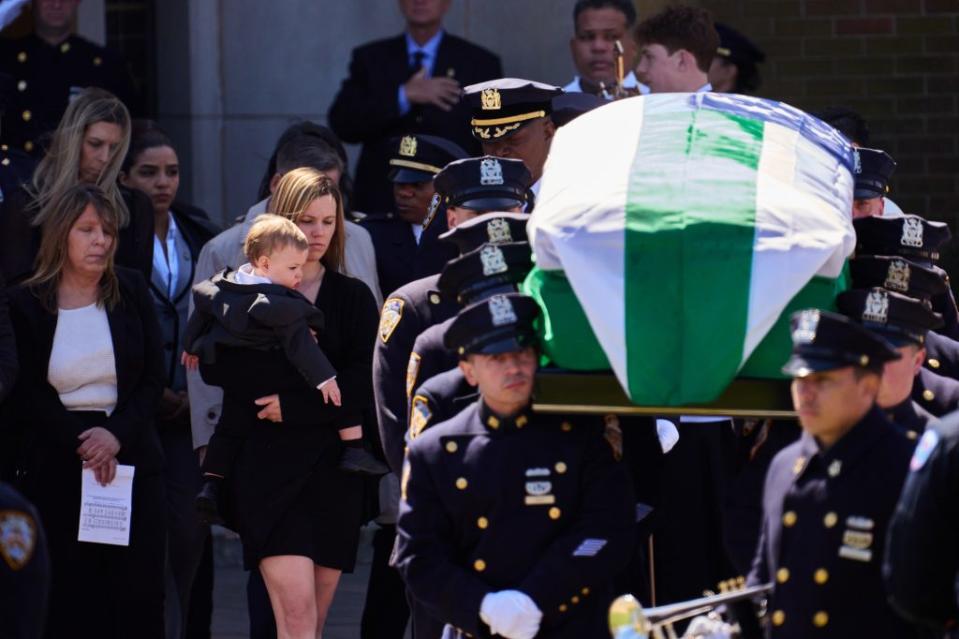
(295, 192)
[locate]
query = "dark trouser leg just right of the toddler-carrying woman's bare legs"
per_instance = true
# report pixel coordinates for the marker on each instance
(385, 611)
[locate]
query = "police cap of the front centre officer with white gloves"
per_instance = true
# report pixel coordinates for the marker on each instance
(498, 324)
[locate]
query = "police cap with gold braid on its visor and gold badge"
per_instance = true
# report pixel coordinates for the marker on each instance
(500, 107)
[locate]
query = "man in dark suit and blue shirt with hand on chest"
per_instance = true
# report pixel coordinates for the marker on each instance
(407, 84)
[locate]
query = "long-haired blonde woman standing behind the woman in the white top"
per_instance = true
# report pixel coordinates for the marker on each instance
(88, 147)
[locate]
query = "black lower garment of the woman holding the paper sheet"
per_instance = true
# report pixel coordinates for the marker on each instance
(101, 591)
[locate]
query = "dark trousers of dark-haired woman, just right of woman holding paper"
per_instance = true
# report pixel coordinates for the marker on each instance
(186, 536)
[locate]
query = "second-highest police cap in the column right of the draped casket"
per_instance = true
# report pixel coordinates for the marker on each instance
(908, 236)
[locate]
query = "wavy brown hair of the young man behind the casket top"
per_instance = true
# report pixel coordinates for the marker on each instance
(682, 27)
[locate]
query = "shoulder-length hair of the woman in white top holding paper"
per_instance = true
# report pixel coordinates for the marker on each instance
(55, 234)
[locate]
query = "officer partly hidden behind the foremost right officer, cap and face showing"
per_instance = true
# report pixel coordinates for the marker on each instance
(904, 322)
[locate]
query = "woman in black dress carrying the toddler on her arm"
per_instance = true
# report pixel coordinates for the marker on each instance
(297, 513)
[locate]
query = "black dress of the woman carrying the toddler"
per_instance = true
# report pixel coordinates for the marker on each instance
(289, 496)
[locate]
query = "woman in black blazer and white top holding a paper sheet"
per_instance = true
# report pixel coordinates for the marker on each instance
(86, 398)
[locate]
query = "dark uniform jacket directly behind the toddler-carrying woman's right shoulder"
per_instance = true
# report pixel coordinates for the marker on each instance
(399, 259)
